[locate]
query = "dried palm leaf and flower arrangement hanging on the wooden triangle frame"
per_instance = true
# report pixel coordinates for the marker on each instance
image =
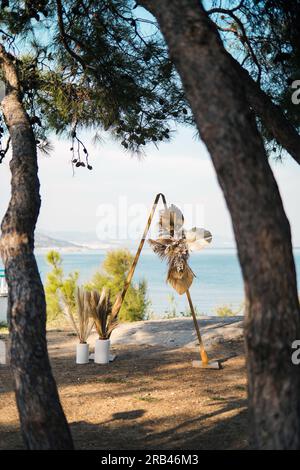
(174, 244)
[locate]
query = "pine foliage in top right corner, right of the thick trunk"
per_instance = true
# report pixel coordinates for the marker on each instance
(264, 37)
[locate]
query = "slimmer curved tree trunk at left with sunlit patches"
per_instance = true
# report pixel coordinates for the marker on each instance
(43, 423)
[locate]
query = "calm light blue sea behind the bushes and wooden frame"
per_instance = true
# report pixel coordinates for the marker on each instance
(218, 281)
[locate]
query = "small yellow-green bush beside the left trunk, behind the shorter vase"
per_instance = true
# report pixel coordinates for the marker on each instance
(56, 283)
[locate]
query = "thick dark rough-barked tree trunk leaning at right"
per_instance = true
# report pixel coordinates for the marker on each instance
(217, 97)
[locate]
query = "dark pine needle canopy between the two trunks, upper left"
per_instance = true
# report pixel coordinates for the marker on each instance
(94, 64)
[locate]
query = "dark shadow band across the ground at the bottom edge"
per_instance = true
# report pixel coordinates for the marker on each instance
(126, 434)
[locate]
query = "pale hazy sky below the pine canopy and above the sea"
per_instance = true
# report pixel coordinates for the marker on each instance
(112, 201)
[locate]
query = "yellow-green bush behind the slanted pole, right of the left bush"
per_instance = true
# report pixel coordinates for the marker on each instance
(112, 276)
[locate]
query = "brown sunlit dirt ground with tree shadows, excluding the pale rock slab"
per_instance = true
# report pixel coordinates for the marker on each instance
(150, 398)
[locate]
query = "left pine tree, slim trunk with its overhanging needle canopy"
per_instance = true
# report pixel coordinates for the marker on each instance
(91, 68)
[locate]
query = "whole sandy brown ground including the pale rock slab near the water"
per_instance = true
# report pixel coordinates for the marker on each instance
(150, 397)
